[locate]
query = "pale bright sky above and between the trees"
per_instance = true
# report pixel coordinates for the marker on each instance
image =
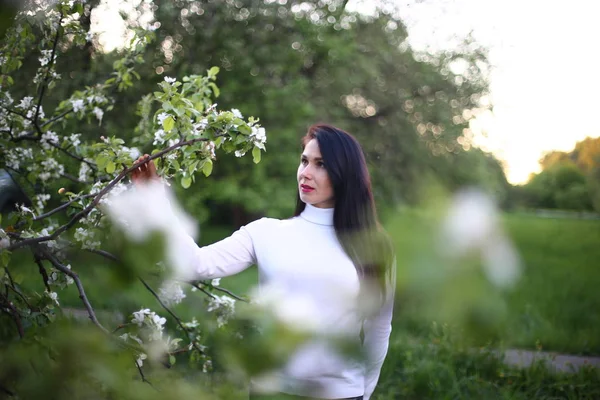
(545, 85)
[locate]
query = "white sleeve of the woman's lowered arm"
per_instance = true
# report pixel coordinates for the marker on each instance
(377, 330)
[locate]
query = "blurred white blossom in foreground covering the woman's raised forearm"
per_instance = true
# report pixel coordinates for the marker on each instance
(147, 208)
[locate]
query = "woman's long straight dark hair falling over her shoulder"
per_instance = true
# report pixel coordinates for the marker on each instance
(354, 218)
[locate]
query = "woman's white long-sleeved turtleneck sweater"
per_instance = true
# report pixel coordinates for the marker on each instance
(303, 257)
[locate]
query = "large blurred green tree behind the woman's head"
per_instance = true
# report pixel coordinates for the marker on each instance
(295, 63)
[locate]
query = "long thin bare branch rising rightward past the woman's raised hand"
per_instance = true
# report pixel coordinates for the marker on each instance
(94, 203)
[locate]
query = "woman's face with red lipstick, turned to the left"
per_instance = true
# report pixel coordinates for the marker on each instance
(314, 185)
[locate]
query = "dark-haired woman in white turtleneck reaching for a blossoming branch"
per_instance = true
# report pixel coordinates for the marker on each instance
(332, 252)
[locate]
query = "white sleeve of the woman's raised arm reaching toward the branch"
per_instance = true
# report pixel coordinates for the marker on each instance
(226, 257)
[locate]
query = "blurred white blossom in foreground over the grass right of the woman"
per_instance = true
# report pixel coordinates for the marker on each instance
(472, 225)
